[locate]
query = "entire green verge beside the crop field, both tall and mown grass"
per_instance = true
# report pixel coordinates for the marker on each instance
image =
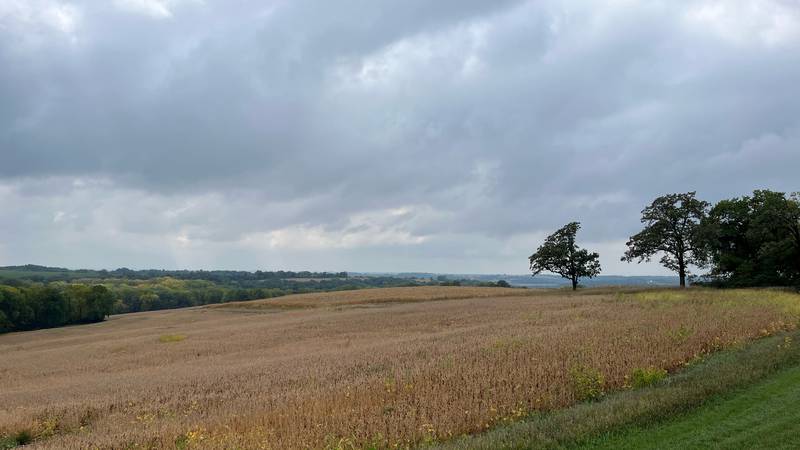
(626, 419)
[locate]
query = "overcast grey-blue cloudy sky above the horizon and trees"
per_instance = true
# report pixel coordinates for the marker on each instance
(409, 135)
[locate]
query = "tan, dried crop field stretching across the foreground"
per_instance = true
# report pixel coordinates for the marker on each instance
(388, 367)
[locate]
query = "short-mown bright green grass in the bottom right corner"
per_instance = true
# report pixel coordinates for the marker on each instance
(762, 416)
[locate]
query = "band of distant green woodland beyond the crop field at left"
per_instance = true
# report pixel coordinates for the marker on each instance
(34, 297)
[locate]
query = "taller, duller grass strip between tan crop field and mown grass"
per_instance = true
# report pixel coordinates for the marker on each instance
(718, 376)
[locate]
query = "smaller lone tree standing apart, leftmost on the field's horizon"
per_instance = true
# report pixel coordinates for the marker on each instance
(560, 254)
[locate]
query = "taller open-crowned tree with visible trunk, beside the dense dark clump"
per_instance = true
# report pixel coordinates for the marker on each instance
(672, 229)
